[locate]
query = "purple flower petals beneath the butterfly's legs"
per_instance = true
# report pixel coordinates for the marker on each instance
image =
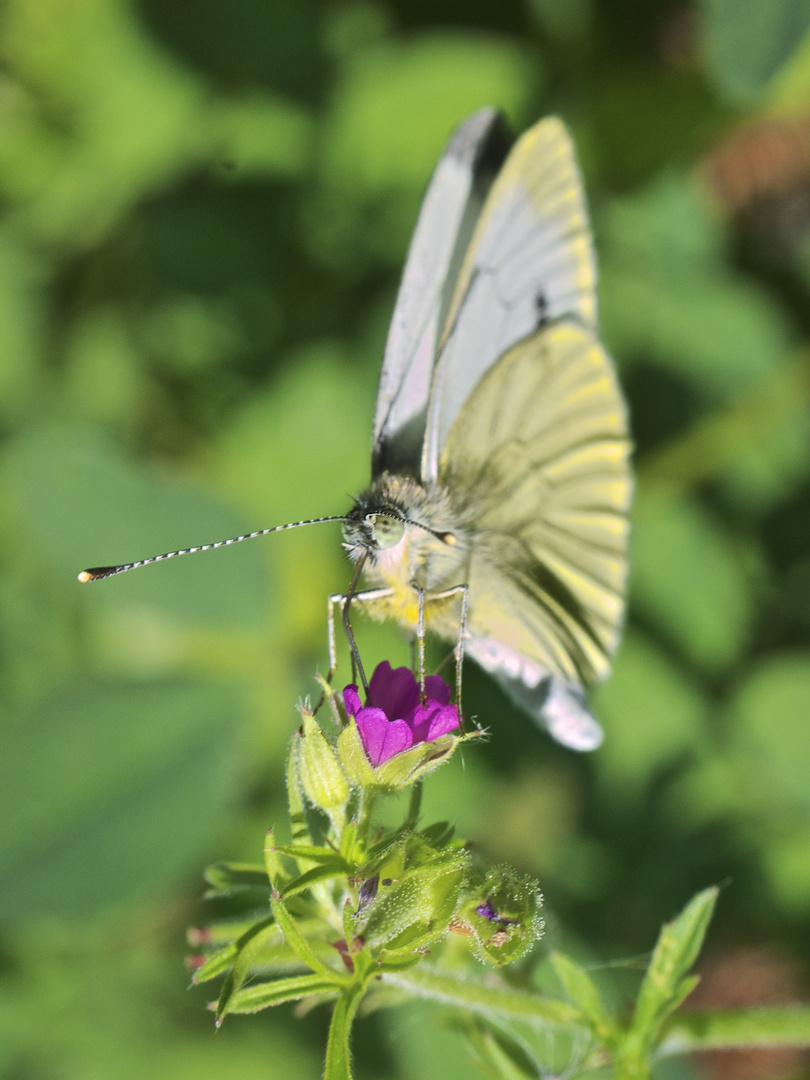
(394, 720)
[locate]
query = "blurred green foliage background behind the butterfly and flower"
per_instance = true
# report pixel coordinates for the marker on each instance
(206, 211)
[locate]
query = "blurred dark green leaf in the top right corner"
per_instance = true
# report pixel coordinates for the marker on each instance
(748, 42)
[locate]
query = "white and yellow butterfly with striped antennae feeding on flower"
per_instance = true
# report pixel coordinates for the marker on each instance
(501, 465)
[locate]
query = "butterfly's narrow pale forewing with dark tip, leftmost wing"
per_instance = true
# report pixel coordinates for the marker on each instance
(451, 208)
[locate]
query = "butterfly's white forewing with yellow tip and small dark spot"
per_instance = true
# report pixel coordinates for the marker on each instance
(530, 263)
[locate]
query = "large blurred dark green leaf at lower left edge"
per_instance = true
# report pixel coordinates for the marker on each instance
(111, 794)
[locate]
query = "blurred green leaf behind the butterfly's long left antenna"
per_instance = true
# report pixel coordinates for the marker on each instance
(88, 505)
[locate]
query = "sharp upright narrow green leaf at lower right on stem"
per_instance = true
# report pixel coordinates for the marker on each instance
(665, 985)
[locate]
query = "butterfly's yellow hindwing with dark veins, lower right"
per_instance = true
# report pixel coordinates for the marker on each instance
(538, 467)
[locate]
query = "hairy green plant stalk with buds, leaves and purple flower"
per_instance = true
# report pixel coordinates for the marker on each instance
(349, 914)
